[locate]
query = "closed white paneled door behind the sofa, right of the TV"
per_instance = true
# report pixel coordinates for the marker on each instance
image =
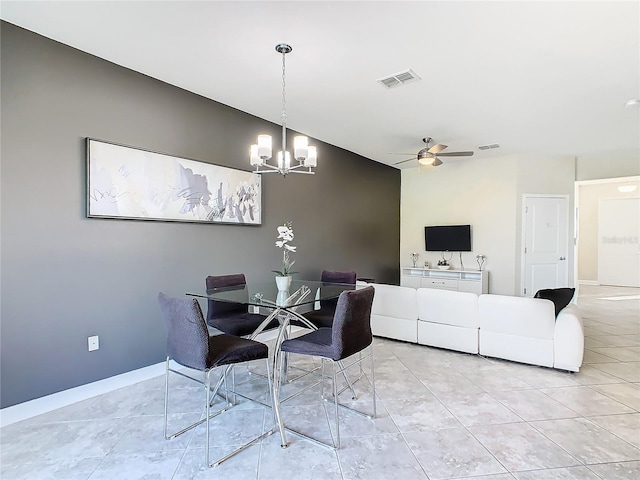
(546, 242)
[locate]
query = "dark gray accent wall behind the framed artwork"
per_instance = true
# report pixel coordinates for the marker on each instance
(65, 277)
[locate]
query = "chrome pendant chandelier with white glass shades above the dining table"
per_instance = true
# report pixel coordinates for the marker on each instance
(304, 154)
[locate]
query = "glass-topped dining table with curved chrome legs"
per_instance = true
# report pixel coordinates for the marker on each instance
(283, 305)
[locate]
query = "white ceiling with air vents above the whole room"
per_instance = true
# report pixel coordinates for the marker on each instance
(538, 78)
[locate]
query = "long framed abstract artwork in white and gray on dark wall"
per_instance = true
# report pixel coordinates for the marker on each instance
(125, 182)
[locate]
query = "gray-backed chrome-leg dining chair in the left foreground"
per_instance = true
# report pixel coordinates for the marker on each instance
(190, 345)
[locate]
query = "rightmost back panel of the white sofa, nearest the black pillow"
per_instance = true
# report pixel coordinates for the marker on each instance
(517, 316)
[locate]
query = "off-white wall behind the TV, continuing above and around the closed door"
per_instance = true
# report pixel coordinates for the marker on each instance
(486, 193)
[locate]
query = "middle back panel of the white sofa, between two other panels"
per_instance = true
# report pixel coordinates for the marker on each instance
(448, 307)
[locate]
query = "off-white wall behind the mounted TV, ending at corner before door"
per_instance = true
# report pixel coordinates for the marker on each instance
(479, 192)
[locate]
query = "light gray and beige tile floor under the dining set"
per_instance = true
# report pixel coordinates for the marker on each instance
(441, 415)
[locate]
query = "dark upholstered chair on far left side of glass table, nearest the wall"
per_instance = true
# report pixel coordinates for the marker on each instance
(232, 318)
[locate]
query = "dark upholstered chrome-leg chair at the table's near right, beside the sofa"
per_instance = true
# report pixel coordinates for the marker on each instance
(349, 335)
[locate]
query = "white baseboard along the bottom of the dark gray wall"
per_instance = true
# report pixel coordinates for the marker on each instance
(41, 405)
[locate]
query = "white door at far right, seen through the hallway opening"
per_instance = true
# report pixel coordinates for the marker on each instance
(619, 242)
